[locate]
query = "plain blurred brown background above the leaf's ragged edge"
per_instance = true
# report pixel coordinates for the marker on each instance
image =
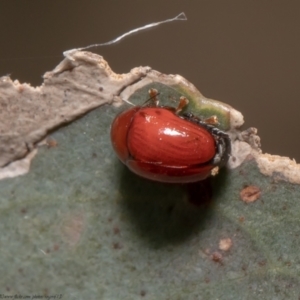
(245, 53)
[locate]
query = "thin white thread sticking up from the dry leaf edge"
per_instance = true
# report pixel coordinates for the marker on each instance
(180, 17)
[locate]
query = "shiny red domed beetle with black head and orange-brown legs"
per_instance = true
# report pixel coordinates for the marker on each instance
(156, 143)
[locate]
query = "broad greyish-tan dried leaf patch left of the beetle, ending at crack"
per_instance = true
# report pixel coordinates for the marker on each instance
(77, 85)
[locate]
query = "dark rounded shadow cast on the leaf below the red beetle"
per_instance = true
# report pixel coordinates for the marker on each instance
(164, 214)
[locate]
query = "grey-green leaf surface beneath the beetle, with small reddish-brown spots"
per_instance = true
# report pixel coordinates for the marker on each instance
(81, 225)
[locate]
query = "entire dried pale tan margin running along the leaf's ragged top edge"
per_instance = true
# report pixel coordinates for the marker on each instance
(84, 81)
